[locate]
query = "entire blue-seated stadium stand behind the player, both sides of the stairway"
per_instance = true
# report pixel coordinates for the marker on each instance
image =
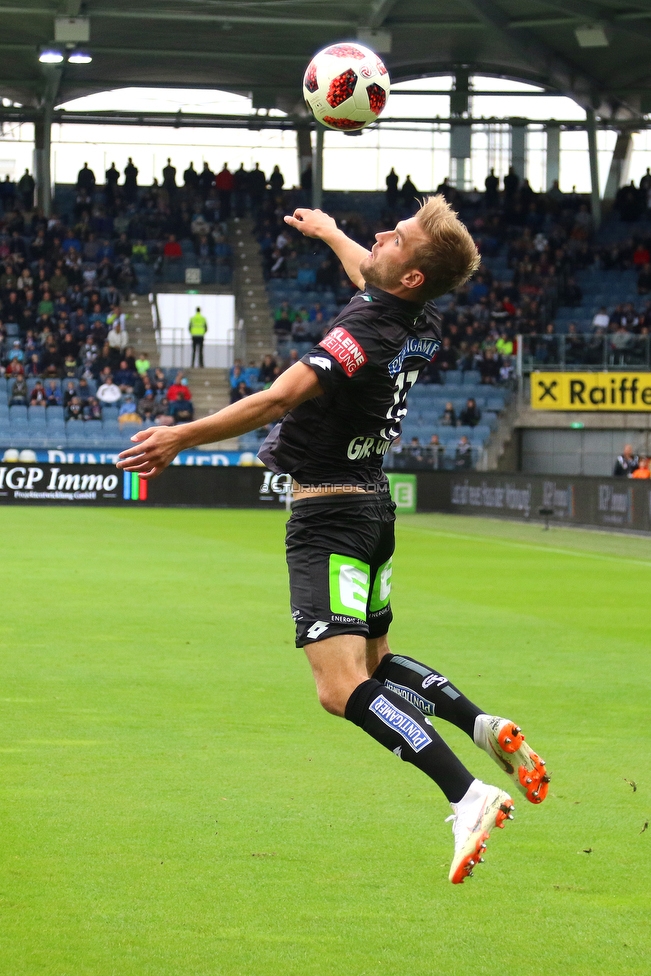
(569, 296)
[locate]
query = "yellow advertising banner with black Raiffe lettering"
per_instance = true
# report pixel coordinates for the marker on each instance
(591, 391)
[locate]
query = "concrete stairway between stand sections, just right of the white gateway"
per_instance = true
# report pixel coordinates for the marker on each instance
(252, 305)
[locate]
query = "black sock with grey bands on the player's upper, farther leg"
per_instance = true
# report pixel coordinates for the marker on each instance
(429, 691)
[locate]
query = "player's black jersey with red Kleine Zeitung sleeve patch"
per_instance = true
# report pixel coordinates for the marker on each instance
(366, 364)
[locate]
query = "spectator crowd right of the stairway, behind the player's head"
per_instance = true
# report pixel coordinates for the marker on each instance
(543, 241)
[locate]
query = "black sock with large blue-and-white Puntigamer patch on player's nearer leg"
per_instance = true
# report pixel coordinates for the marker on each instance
(400, 727)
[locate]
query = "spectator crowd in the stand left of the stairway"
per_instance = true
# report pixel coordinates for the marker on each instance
(65, 280)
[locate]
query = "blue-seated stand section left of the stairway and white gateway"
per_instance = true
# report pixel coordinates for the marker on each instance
(64, 318)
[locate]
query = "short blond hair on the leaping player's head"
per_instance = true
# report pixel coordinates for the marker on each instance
(451, 256)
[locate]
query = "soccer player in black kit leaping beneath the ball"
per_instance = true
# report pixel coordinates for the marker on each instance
(342, 405)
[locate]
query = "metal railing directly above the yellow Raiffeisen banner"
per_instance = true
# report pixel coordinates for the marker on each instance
(583, 352)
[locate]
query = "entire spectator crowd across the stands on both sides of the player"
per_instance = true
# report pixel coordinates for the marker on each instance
(65, 281)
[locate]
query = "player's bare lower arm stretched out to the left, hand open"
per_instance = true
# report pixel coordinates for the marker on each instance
(157, 447)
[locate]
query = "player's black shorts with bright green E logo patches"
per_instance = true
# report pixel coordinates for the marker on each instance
(339, 553)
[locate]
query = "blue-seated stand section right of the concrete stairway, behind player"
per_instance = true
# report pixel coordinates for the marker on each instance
(545, 275)
